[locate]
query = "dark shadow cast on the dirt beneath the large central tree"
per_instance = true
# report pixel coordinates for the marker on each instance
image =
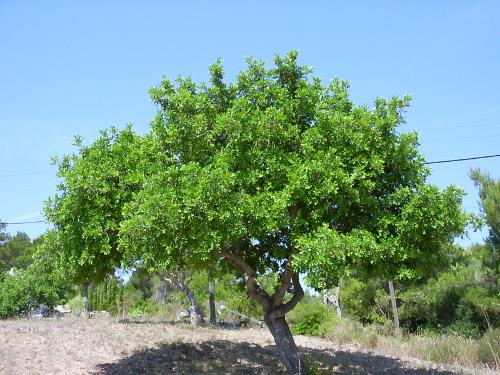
(226, 357)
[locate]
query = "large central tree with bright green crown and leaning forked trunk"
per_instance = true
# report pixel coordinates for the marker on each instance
(276, 172)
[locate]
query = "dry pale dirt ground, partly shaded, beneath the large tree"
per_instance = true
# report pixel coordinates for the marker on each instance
(104, 346)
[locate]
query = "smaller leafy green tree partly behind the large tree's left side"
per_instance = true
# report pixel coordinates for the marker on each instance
(87, 211)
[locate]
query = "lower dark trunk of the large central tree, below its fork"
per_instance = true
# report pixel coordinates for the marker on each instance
(285, 344)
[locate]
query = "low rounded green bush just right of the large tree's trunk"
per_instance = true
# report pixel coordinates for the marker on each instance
(312, 319)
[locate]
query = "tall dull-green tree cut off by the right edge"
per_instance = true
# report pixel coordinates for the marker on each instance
(489, 194)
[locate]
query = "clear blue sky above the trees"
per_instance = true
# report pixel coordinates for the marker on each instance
(70, 68)
